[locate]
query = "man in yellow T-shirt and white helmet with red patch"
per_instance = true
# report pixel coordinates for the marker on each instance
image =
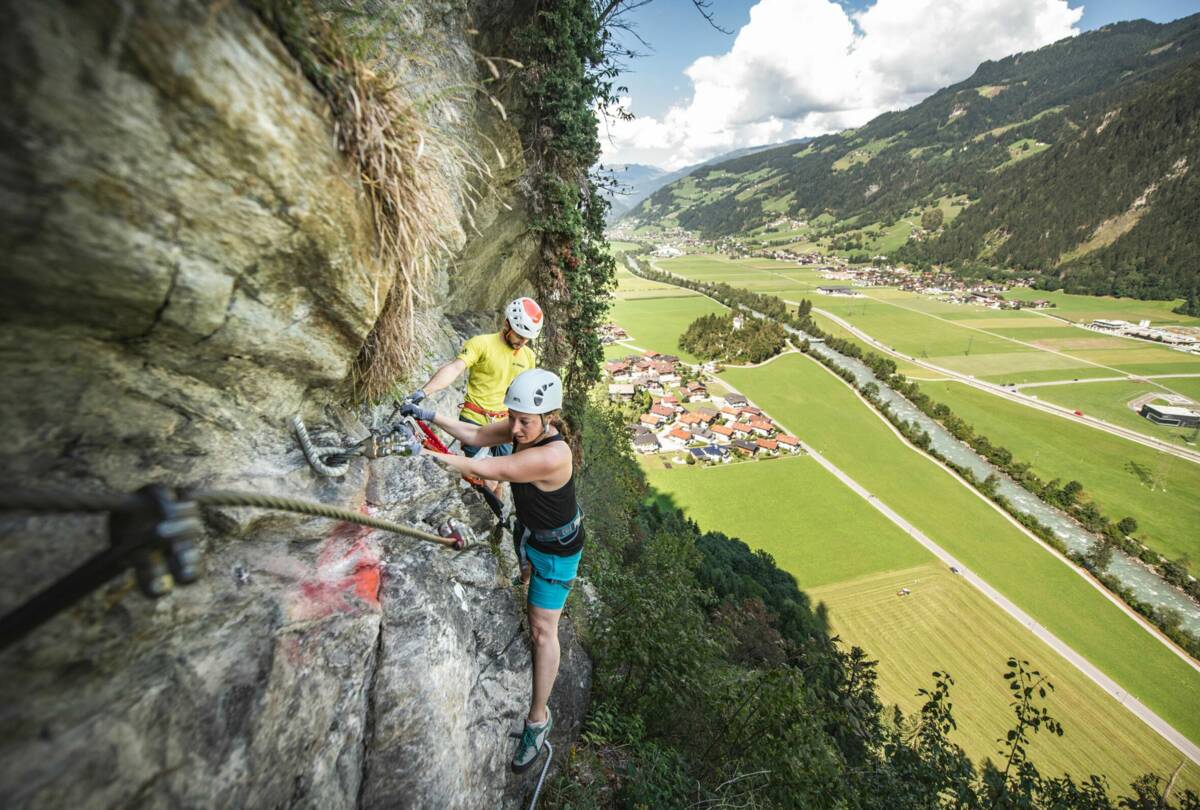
(494, 362)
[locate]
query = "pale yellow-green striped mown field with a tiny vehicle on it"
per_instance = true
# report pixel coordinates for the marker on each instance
(946, 625)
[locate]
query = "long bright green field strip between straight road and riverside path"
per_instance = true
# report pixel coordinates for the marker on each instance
(821, 410)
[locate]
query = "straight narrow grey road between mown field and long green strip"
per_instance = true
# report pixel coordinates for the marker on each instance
(1108, 685)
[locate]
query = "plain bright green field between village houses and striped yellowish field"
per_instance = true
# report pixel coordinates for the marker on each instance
(819, 531)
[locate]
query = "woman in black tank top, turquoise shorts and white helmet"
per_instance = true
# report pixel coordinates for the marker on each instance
(549, 531)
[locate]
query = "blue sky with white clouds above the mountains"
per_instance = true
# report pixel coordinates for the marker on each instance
(806, 99)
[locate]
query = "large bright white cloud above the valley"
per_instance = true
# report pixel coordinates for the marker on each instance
(806, 68)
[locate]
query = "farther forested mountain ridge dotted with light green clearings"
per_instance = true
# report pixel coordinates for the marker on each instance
(959, 143)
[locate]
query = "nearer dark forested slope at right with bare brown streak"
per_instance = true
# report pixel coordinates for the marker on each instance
(1114, 211)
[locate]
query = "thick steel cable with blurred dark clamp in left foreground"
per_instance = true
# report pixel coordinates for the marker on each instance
(157, 533)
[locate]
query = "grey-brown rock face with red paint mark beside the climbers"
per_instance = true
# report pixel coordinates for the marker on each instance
(188, 265)
